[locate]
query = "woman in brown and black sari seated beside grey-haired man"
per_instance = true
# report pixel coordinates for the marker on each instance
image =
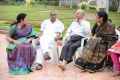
(95, 52)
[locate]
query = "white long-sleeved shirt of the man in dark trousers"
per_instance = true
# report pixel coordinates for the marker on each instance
(81, 28)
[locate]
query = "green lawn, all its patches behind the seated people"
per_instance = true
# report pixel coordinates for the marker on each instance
(37, 12)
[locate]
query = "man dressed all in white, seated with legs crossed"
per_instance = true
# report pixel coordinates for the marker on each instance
(51, 30)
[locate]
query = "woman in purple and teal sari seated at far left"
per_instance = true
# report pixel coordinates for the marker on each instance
(20, 52)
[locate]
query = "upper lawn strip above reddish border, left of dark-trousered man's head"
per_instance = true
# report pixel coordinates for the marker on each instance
(34, 12)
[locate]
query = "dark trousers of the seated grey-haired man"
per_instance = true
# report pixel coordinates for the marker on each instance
(68, 50)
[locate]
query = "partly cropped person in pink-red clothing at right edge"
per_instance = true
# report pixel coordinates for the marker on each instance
(114, 53)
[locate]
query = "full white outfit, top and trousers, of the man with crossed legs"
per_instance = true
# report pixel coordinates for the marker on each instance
(47, 39)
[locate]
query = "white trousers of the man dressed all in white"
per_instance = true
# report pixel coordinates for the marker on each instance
(46, 42)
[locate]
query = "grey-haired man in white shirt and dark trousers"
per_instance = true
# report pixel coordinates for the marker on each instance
(79, 28)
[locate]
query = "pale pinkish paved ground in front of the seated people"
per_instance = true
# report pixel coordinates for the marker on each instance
(50, 71)
